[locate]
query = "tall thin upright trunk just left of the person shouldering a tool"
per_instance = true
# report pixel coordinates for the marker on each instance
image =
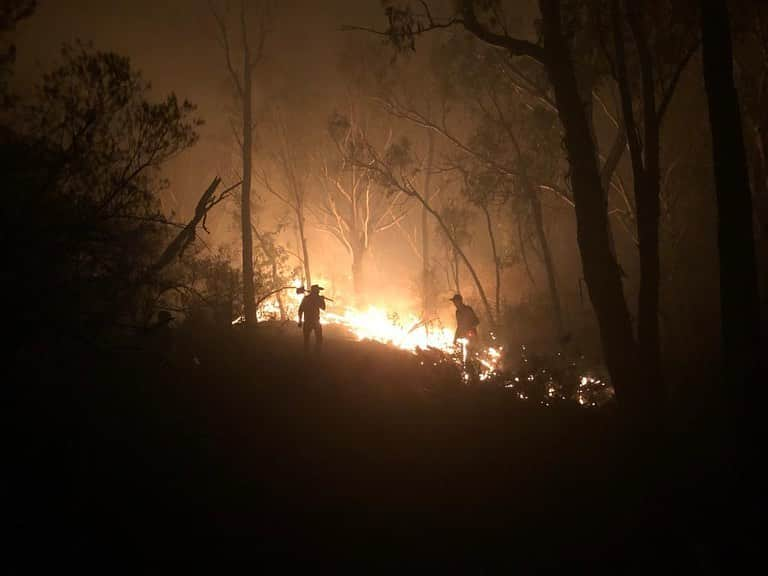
(252, 50)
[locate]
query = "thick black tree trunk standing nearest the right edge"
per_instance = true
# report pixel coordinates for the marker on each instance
(739, 304)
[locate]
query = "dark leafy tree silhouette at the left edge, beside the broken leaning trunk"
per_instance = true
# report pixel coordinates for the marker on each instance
(83, 160)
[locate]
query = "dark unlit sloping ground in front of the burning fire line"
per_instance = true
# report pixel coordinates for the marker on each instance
(232, 449)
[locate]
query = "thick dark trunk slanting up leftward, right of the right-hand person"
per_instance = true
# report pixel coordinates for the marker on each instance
(601, 271)
